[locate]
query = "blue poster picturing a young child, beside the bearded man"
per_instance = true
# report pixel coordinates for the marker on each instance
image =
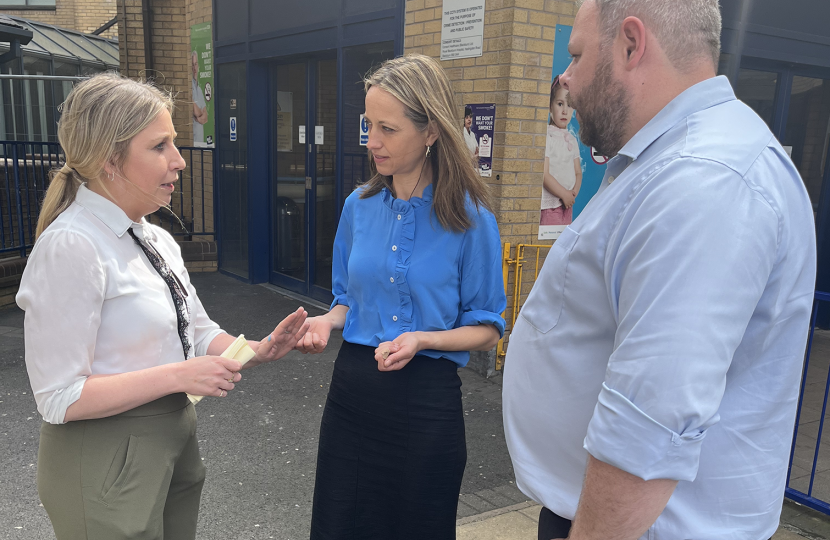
(572, 172)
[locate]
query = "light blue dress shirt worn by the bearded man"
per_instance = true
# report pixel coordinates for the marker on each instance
(666, 332)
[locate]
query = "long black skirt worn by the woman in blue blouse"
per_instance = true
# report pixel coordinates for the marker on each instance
(392, 450)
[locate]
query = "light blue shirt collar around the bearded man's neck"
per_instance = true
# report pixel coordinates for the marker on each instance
(701, 96)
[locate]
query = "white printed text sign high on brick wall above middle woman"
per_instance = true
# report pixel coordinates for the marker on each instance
(462, 29)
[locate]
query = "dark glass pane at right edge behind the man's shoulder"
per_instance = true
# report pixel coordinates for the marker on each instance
(808, 131)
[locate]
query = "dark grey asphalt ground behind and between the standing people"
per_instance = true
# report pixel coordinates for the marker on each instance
(259, 444)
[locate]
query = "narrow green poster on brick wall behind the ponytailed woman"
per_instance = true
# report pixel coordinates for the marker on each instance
(201, 86)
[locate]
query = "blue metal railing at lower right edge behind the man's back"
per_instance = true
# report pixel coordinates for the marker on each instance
(796, 482)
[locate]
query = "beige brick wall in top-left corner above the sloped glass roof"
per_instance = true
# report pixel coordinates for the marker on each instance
(81, 15)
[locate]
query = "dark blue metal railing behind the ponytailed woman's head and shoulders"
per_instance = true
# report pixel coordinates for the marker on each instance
(25, 175)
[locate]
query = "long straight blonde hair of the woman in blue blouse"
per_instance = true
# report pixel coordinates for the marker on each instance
(420, 83)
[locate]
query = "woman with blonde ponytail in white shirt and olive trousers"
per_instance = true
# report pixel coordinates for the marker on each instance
(115, 334)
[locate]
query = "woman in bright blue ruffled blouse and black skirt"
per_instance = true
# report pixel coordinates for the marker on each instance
(417, 283)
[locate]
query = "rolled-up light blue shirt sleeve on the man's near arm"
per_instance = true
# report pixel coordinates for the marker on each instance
(691, 260)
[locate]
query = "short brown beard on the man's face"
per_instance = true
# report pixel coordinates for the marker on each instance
(603, 109)
